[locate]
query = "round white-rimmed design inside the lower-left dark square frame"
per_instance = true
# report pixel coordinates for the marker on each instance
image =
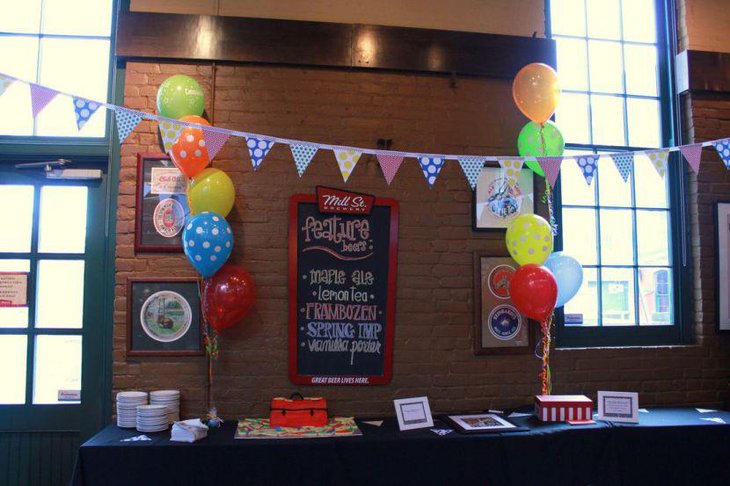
(166, 316)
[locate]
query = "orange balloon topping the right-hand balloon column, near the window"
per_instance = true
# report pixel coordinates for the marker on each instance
(536, 90)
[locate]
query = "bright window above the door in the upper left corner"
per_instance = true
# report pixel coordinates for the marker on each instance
(63, 44)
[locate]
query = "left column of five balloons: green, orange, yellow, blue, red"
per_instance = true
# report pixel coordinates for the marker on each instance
(228, 292)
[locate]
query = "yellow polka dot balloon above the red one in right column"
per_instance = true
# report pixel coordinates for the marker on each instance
(529, 239)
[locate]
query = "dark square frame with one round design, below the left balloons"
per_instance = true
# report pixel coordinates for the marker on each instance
(163, 317)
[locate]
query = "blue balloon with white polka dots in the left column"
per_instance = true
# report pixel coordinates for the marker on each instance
(208, 242)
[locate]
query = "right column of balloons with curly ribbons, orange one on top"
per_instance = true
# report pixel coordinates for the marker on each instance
(545, 280)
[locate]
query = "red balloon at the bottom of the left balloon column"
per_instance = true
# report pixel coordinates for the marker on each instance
(228, 296)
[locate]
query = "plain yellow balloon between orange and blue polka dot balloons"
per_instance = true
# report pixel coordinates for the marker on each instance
(211, 190)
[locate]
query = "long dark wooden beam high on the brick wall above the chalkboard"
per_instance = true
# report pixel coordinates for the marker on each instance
(246, 40)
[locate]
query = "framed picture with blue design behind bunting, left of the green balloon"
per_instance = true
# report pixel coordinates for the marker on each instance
(496, 203)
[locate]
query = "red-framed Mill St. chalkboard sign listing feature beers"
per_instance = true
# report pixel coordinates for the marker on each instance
(342, 274)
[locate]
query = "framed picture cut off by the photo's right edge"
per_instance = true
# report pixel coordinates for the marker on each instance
(722, 222)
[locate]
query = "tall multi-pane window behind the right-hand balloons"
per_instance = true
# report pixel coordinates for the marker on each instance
(613, 65)
